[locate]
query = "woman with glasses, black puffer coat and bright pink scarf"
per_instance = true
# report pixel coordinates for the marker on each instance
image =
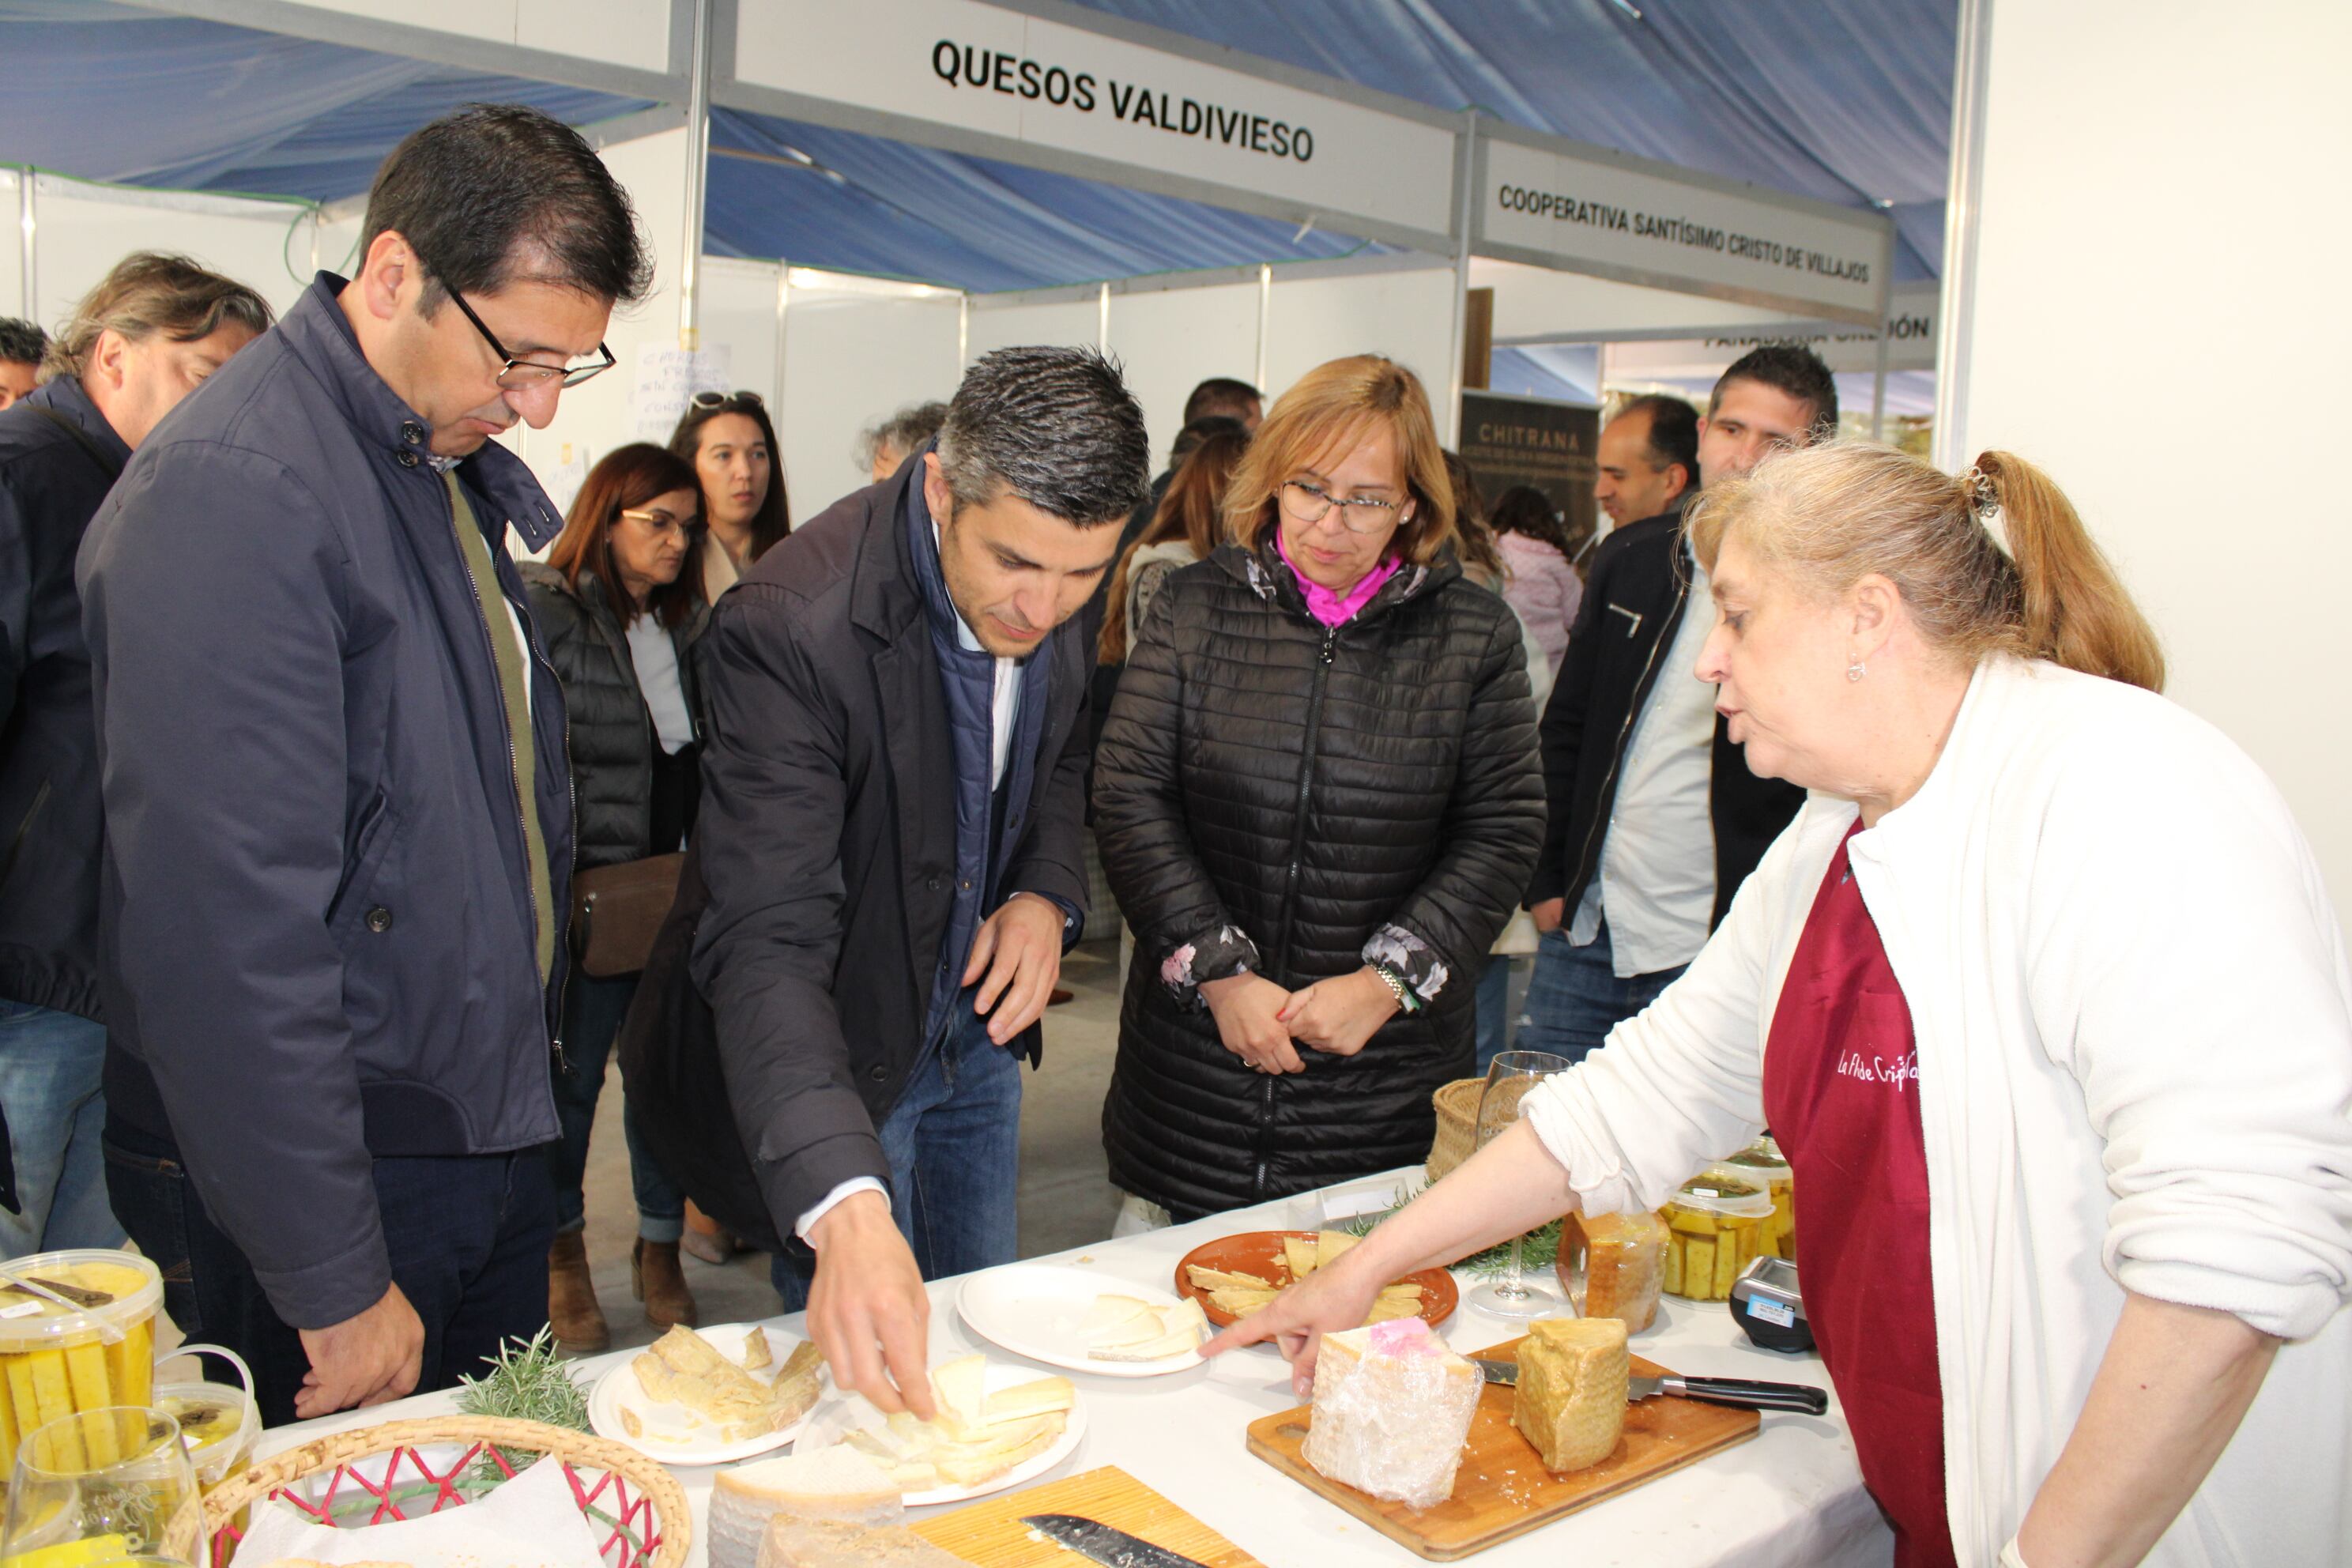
(1318, 800)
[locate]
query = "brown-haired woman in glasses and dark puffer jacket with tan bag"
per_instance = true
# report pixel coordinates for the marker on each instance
(620, 612)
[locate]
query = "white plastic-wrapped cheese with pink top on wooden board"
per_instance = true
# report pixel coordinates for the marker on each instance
(1391, 1412)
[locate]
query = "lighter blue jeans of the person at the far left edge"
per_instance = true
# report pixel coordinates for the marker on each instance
(51, 1076)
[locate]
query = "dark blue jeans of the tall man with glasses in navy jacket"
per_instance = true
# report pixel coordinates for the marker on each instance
(467, 1240)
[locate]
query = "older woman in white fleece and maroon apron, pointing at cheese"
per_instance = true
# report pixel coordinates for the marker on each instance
(2047, 1003)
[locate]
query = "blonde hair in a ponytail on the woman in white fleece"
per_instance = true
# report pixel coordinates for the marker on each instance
(1836, 514)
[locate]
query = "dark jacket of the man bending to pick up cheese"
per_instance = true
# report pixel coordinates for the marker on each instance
(827, 838)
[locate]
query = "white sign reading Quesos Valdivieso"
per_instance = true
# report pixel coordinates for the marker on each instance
(1003, 74)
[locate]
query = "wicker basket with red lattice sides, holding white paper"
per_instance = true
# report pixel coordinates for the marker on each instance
(650, 1525)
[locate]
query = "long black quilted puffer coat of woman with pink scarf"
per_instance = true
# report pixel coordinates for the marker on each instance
(1285, 798)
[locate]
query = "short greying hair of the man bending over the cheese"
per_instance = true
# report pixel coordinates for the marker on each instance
(1053, 427)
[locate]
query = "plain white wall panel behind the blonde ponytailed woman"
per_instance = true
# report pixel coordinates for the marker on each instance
(2092, 304)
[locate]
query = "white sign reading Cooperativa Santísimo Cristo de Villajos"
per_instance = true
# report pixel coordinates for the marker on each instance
(1650, 229)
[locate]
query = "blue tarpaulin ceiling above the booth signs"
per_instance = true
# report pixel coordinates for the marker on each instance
(1840, 100)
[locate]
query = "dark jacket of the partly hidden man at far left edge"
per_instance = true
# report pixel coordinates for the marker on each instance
(51, 485)
